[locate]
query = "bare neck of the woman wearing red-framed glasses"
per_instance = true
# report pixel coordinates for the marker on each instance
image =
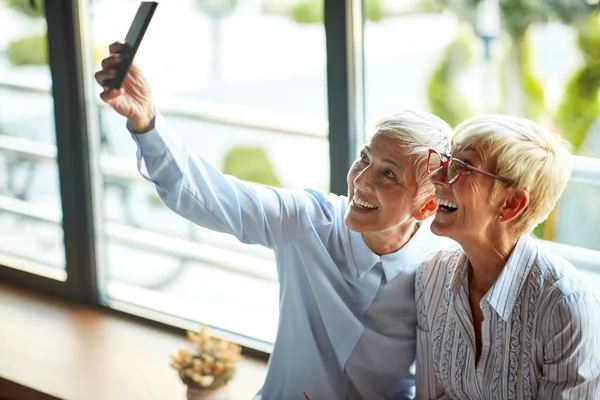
(487, 259)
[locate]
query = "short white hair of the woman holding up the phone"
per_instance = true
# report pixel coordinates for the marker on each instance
(418, 131)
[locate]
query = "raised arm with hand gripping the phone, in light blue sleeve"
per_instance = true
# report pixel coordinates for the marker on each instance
(192, 187)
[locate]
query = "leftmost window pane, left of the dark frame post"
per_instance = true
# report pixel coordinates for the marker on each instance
(31, 235)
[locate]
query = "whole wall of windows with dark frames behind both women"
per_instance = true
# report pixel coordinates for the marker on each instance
(277, 84)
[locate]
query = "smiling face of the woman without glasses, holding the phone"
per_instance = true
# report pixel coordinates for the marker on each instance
(381, 187)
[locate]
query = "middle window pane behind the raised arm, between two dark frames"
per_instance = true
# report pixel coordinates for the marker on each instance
(243, 82)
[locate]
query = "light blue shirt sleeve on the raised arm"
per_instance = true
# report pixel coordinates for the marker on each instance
(197, 191)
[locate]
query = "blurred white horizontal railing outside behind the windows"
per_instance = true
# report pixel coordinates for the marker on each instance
(586, 170)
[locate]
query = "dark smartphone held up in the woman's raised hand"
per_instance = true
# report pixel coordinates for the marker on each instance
(132, 42)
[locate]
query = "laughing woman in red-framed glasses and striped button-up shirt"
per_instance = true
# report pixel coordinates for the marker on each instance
(499, 317)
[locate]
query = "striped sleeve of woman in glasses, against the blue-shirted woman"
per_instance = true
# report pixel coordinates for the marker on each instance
(426, 382)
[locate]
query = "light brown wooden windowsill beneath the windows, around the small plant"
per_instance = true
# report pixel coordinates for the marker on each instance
(49, 347)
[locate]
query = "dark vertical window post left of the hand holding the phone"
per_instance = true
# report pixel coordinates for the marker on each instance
(72, 142)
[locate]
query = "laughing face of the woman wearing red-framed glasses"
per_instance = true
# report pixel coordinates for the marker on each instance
(465, 211)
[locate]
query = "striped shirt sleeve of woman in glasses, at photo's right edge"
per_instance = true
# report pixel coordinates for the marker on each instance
(572, 350)
